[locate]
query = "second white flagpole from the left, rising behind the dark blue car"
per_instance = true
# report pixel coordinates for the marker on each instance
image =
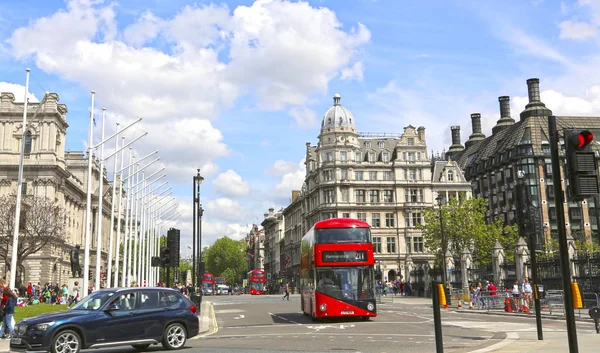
(88, 210)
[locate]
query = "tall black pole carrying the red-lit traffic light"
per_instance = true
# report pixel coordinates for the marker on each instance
(562, 236)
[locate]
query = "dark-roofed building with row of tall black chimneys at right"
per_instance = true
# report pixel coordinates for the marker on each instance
(519, 152)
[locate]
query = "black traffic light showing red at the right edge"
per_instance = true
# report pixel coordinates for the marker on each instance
(582, 166)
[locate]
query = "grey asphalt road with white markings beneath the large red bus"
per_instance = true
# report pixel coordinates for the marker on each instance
(267, 324)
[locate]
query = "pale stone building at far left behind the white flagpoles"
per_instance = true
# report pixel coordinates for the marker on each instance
(52, 172)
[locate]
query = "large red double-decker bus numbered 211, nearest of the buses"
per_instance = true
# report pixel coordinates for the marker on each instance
(337, 270)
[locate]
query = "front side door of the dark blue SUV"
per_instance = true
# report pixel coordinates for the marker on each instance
(119, 321)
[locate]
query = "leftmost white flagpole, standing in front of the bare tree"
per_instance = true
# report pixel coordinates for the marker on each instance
(13, 259)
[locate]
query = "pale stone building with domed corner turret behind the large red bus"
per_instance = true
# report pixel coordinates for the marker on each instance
(384, 179)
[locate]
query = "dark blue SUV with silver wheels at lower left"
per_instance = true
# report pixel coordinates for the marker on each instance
(137, 317)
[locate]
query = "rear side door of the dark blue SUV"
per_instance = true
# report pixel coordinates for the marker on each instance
(151, 316)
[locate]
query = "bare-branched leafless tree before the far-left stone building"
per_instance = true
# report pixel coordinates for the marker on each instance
(42, 222)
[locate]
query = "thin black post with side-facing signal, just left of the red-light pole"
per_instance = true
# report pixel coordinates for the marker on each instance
(530, 232)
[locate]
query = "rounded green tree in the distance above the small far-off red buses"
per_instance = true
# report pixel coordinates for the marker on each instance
(226, 254)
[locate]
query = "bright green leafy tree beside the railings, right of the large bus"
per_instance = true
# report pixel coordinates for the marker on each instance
(465, 226)
